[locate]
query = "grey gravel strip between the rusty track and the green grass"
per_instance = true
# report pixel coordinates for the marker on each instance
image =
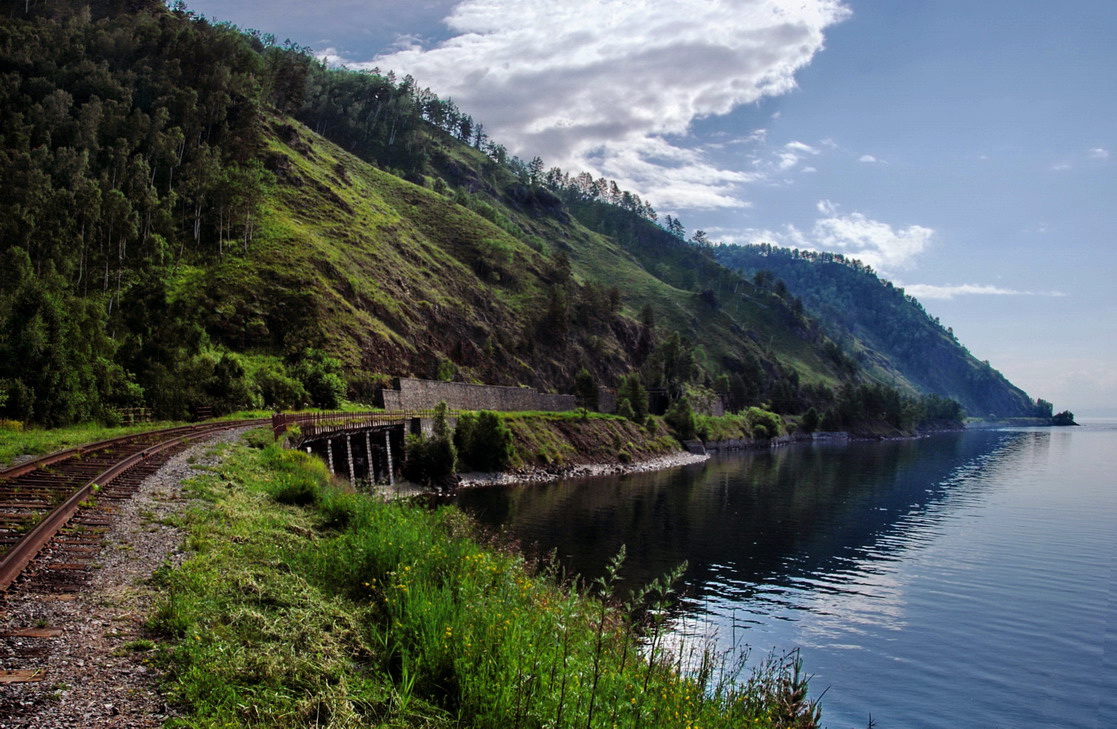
(99, 673)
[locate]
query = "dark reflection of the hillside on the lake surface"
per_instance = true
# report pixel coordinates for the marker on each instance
(752, 525)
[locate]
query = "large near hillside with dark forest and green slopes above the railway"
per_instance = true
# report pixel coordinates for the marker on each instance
(197, 217)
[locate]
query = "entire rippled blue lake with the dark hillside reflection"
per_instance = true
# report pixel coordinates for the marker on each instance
(965, 580)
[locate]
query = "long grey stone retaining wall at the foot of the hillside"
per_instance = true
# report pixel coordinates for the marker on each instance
(408, 394)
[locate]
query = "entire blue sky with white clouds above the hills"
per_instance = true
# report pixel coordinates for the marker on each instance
(966, 150)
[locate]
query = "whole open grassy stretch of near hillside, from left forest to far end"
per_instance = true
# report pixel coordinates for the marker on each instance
(395, 277)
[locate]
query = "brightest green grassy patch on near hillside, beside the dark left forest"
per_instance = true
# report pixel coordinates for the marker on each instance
(346, 258)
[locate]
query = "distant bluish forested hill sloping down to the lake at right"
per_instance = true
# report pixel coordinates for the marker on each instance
(886, 331)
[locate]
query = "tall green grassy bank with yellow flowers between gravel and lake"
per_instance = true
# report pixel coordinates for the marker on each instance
(417, 619)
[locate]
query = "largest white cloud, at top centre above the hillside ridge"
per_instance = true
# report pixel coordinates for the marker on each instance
(604, 84)
